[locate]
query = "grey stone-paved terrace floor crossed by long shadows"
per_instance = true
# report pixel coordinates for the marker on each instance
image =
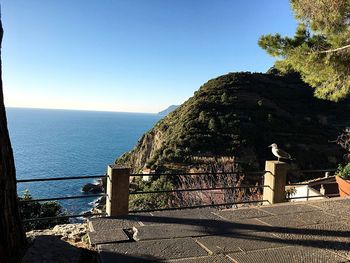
(314, 231)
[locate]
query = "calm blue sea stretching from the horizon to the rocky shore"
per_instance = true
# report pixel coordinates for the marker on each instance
(60, 143)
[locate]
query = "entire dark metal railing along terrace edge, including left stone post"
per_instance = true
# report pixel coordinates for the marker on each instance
(115, 175)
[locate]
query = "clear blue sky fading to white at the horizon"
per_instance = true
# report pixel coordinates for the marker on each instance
(130, 55)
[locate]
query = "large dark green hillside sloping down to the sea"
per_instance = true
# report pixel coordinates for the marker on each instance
(239, 115)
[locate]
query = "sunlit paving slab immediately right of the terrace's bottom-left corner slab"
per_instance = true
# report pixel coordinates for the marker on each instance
(224, 244)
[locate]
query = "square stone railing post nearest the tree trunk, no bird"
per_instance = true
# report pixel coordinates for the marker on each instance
(117, 201)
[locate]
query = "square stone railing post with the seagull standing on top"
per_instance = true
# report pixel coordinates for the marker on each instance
(275, 180)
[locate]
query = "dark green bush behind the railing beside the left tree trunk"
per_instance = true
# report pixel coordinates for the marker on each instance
(32, 210)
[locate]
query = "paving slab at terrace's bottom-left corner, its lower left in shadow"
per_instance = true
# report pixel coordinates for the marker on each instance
(148, 251)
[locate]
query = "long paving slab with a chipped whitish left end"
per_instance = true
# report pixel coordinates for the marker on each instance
(177, 230)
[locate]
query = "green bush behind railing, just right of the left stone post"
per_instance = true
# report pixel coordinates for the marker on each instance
(150, 201)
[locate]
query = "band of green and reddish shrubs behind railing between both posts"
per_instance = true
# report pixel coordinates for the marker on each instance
(232, 177)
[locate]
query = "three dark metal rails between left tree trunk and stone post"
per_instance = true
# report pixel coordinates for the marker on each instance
(34, 180)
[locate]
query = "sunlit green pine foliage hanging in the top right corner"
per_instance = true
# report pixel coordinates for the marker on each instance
(320, 48)
